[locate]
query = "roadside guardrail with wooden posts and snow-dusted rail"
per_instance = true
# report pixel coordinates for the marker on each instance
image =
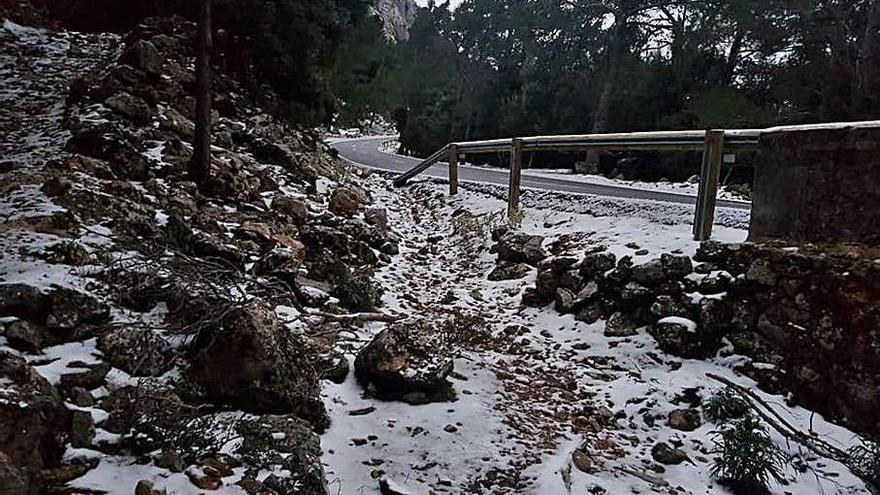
(713, 144)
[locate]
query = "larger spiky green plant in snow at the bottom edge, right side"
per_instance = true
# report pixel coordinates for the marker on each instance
(747, 457)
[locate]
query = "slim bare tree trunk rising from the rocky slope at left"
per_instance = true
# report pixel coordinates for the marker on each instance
(200, 165)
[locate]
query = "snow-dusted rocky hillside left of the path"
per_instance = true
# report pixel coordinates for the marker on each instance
(147, 322)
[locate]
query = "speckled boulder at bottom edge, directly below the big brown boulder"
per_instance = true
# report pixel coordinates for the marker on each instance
(270, 442)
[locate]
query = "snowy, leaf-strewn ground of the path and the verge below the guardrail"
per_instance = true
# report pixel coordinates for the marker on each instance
(515, 424)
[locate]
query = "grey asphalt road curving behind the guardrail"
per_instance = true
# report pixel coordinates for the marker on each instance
(365, 152)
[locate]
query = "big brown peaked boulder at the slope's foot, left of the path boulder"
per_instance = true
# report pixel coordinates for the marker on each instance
(250, 361)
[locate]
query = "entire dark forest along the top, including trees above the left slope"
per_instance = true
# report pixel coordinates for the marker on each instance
(501, 68)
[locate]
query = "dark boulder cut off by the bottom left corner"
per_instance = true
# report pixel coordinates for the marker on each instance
(33, 426)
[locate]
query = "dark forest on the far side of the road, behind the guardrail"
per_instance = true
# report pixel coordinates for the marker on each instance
(500, 68)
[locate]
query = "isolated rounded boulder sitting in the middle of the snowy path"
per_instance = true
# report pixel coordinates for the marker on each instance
(407, 356)
